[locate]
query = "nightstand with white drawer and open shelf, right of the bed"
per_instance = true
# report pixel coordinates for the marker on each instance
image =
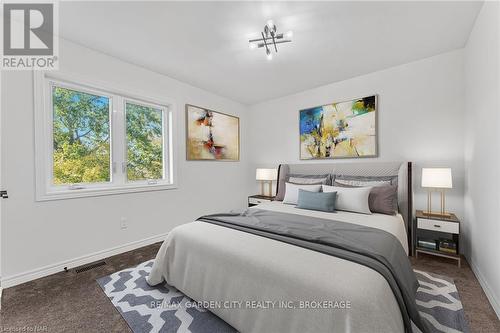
(438, 236)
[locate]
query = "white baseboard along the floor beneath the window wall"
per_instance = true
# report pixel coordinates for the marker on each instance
(13, 280)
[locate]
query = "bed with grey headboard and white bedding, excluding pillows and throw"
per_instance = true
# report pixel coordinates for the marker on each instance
(259, 284)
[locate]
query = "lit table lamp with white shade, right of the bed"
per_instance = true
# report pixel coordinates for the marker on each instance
(436, 179)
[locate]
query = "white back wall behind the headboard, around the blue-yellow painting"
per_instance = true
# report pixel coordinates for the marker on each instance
(420, 119)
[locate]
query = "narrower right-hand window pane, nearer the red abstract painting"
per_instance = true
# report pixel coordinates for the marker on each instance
(144, 142)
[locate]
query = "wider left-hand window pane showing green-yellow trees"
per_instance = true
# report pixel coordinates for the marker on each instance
(81, 132)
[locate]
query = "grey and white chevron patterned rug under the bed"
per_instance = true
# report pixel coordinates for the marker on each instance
(165, 309)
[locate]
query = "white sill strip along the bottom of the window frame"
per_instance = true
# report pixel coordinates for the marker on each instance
(97, 192)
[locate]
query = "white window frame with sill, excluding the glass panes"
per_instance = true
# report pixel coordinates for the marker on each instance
(46, 190)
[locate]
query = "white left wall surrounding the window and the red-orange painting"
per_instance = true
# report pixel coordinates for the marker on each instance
(39, 234)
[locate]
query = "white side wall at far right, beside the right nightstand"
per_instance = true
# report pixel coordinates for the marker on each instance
(482, 147)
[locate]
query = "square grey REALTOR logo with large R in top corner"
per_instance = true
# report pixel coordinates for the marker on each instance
(29, 36)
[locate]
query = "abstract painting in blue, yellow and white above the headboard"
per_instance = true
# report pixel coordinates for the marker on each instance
(339, 130)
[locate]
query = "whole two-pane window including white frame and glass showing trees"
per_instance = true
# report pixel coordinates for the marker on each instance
(93, 141)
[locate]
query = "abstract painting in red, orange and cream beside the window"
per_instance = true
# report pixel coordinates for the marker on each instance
(211, 135)
